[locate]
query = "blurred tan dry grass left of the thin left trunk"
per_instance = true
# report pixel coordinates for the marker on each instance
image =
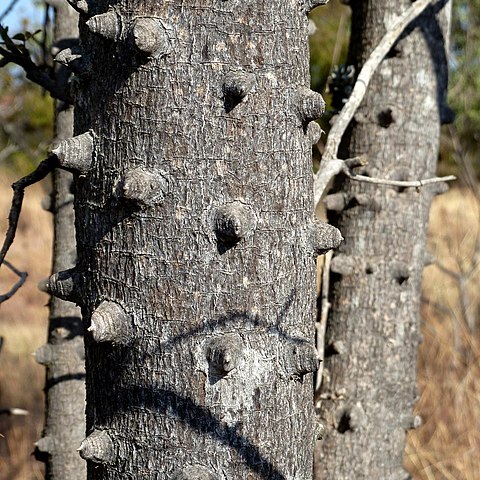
(23, 326)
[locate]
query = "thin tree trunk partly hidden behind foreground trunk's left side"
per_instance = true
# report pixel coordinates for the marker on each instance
(64, 353)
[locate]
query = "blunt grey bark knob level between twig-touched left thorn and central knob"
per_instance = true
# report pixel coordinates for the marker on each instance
(143, 187)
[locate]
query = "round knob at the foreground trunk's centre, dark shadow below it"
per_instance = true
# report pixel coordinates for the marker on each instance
(233, 222)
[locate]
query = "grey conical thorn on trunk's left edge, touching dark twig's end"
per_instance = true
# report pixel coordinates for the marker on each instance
(76, 153)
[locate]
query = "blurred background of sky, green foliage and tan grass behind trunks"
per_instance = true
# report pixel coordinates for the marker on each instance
(447, 445)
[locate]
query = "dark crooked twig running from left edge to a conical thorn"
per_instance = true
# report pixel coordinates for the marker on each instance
(19, 186)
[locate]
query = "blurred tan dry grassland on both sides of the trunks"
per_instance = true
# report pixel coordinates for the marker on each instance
(445, 446)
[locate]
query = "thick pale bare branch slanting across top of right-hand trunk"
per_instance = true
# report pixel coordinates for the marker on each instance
(326, 172)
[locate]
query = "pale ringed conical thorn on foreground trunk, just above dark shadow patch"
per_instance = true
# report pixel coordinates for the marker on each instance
(110, 323)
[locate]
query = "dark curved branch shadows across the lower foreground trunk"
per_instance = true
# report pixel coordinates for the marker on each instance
(163, 401)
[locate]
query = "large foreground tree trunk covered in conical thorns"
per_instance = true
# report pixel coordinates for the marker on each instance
(196, 265)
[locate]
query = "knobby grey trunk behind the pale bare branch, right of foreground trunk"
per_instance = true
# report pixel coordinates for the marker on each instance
(373, 330)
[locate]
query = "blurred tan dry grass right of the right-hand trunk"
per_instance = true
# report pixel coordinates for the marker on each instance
(447, 445)
